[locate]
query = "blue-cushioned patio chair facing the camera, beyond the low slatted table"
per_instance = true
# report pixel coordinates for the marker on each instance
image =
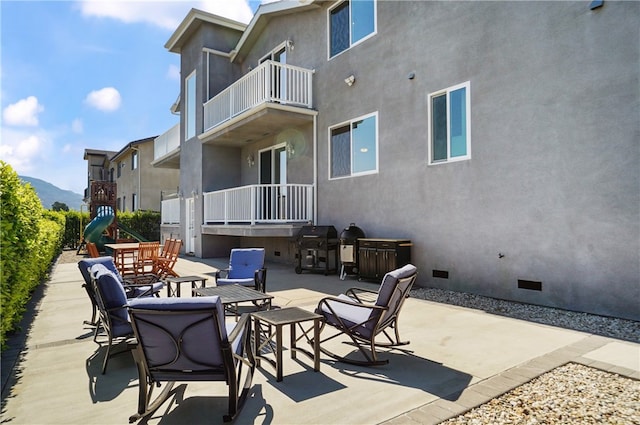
(246, 268)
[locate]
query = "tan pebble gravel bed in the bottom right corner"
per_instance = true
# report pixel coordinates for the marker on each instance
(571, 394)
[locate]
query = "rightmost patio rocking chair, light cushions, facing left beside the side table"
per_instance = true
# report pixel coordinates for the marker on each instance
(362, 322)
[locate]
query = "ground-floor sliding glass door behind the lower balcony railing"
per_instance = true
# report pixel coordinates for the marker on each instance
(273, 180)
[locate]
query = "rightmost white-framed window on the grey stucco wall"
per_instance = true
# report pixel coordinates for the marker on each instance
(449, 125)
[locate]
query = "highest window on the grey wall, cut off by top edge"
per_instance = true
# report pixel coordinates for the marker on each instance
(350, 22)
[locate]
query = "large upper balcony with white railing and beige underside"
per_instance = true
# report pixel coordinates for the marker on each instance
(272, 96)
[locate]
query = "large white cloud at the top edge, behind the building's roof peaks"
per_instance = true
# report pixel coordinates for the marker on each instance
(165, 14)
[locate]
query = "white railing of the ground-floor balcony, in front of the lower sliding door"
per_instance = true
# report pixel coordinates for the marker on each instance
(264, 203)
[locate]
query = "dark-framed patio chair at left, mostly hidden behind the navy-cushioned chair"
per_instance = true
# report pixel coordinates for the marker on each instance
(138, 286)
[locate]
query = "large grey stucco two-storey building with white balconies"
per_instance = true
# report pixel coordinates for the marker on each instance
(502, 138)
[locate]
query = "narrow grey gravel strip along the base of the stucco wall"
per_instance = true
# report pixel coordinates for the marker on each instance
(612, 327)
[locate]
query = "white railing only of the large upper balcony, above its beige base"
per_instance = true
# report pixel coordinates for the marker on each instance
(269, 82)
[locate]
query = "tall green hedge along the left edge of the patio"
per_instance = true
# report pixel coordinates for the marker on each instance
(30, 239)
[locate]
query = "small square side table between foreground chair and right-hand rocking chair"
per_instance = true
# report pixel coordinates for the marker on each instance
(278, 318)
